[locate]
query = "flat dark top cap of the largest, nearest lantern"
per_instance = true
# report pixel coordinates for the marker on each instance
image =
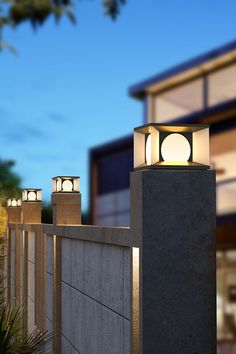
(175, 128)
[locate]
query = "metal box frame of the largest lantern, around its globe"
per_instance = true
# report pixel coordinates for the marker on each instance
(196, 135)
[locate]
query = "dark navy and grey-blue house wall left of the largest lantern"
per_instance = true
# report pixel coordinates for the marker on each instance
(112, 199)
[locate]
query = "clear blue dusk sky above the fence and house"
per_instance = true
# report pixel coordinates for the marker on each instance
(66, 89)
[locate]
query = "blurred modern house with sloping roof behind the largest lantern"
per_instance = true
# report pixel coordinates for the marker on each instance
(202, 90)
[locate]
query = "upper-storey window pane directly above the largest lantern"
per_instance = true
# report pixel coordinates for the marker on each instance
(179, 101)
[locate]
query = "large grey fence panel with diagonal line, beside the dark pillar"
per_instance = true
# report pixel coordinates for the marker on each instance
(95, 298)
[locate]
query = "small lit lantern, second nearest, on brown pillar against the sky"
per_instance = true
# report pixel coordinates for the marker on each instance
(65, 184)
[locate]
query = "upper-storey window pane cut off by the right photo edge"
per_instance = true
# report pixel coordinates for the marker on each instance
(222, 85)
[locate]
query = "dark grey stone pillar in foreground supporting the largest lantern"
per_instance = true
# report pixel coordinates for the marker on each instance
(173, 218)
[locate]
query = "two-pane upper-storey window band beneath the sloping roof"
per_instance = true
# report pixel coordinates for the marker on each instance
(189, 97)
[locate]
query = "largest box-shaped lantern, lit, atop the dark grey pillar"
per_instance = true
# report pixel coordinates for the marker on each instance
(171, 146)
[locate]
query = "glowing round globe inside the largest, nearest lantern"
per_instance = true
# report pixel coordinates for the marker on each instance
(175, 148)
